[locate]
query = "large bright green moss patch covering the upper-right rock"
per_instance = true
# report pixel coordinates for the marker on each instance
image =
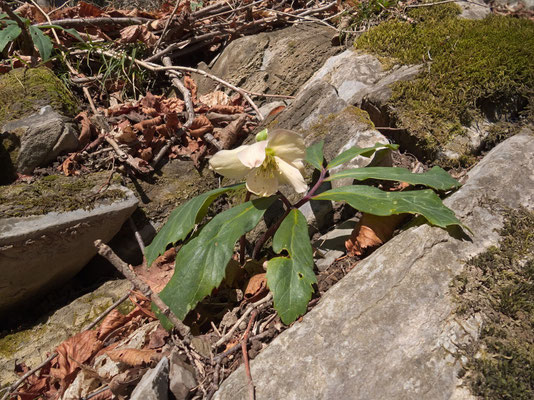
(474, 69)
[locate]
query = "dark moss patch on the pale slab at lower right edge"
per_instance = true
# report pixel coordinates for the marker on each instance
(499, 284)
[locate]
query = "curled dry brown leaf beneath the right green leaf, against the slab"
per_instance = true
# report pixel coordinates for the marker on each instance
(372, 231)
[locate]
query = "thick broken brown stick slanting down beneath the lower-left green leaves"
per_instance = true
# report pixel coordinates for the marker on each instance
(106, 252)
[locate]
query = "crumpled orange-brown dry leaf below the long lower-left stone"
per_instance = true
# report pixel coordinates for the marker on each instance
(74, 351)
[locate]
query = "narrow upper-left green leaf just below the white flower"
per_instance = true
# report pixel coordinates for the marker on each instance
(182, 221)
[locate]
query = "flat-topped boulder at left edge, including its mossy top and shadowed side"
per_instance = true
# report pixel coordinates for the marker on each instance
(47, 230)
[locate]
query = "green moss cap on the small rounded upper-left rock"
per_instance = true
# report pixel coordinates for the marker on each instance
(23, 91)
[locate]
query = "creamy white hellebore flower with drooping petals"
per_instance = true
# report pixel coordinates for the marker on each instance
(265, 164)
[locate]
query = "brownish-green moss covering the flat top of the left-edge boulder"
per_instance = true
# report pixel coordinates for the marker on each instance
(56, 193)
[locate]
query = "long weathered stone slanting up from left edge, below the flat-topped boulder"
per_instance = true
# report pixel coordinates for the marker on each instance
(34, 343)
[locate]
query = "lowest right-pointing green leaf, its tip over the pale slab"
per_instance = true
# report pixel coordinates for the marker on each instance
(371, 200)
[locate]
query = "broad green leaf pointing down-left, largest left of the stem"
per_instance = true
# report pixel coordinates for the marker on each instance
(201, 263)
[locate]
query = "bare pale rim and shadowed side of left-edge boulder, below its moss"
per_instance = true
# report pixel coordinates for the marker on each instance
(41, 252)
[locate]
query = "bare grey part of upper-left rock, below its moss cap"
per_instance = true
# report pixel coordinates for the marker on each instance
(42, 138)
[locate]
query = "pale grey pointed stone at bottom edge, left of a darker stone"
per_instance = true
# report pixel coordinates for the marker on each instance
(154, 385)
